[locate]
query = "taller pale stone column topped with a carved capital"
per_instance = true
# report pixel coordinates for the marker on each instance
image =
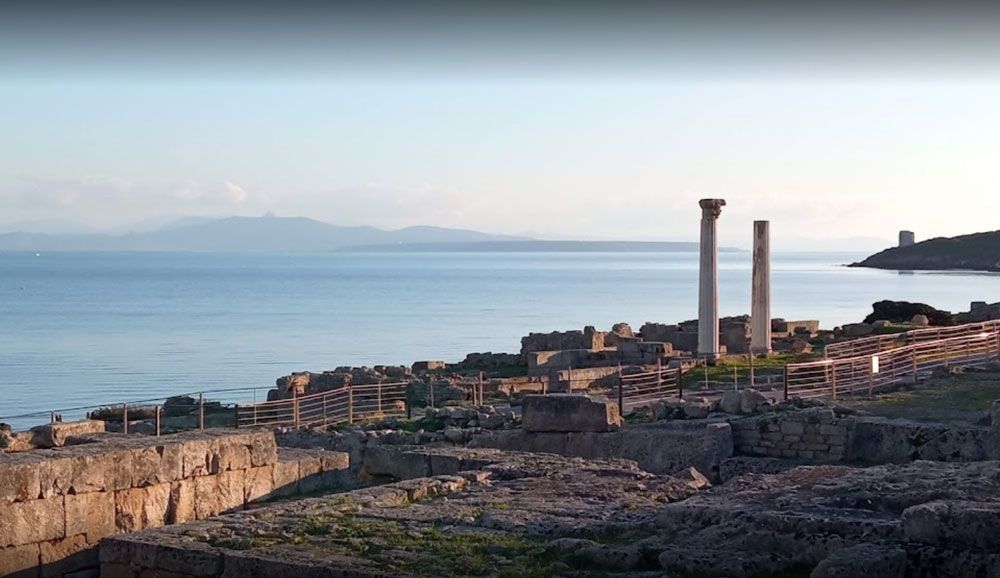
(708, 280)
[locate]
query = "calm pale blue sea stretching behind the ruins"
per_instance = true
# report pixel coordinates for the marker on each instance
(91, 328)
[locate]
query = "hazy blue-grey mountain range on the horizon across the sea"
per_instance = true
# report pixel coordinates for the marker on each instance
(299, 234)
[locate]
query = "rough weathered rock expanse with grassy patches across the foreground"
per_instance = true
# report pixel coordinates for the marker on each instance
(496, 513)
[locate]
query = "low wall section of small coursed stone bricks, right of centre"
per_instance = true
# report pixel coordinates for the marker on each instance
(813, 435)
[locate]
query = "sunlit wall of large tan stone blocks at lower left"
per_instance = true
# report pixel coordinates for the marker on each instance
(56, 505)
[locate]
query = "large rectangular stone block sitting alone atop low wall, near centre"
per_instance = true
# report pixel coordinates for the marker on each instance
(569, 413)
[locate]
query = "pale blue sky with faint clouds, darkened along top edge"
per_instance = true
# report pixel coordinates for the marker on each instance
(558, 120)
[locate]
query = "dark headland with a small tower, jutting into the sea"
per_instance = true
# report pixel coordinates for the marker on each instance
(977, 252)
